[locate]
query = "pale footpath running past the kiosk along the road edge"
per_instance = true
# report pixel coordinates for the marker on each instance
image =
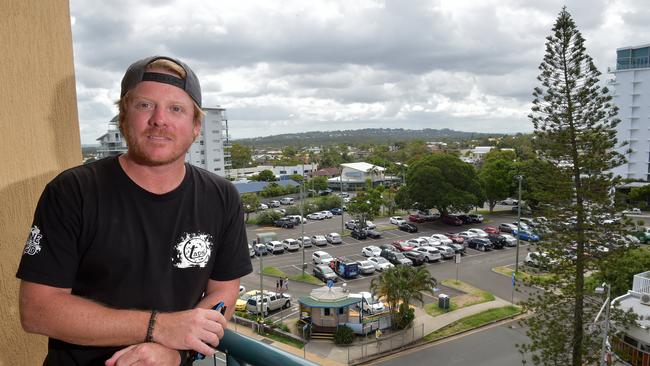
(325, 352)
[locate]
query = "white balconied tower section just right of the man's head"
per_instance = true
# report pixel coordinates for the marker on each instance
(210, 150)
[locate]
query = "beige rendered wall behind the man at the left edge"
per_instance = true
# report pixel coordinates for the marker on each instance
(39, 134)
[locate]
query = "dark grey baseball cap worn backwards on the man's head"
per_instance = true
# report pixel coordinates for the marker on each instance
(137, 73)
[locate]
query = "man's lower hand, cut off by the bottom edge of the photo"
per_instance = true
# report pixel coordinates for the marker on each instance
(146, 354)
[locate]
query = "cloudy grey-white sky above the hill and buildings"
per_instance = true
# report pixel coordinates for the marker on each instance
(295, 66)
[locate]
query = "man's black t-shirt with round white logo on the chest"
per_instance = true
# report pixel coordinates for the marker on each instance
(100, 234)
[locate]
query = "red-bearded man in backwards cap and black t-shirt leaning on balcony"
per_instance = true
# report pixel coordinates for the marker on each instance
(127, 255)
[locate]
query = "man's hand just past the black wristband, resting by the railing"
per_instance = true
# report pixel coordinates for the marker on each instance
(196, 329)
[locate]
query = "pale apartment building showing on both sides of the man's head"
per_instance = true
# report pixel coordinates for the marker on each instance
(209, 151)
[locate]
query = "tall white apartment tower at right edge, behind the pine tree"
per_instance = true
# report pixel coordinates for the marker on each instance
(632, 85)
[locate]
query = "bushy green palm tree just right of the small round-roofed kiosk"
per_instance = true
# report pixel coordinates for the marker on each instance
(401, 284)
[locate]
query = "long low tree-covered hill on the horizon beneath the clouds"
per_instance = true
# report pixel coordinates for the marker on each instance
(367, 135)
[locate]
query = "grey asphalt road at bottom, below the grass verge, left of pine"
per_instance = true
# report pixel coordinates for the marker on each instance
(494, 346)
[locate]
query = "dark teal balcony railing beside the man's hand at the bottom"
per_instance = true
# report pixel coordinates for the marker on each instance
(242, 350)
